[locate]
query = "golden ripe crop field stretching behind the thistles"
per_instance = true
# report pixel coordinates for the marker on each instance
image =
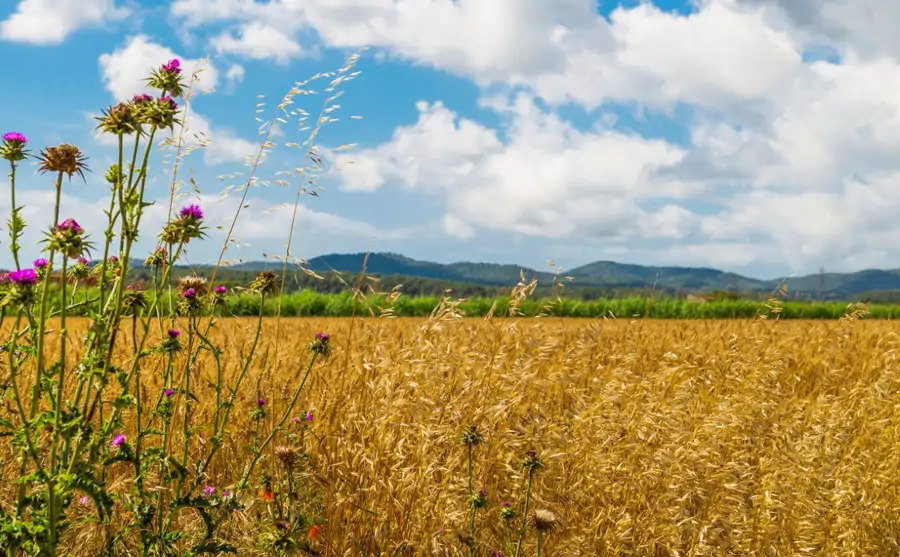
(654, 437)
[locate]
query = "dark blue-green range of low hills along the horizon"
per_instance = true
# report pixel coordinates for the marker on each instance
(605, 274)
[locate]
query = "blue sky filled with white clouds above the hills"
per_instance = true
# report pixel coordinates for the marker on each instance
(755, 136)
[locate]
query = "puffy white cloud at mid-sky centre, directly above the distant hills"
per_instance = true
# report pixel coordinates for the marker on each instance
(547, 179)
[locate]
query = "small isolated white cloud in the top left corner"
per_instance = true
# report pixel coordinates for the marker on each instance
(49, 22)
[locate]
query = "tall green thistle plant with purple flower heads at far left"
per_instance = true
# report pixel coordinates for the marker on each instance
(98, 437)
